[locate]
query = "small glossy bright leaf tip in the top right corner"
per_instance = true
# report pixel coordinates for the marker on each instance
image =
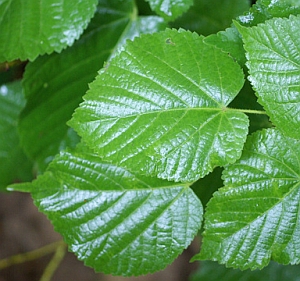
(268, 9)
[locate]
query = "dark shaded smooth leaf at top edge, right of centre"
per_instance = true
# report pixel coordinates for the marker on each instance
(208, 17)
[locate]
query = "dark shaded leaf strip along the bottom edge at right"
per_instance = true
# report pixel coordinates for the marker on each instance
(273, 272)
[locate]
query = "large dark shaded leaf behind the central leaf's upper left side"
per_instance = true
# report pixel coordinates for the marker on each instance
(54, 85)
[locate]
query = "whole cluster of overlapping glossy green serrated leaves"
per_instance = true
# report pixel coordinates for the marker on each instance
(181, 100)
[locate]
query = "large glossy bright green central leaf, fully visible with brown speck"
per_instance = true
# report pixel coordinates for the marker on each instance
(160, 108)
